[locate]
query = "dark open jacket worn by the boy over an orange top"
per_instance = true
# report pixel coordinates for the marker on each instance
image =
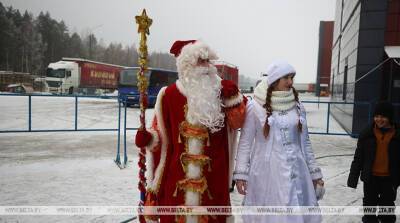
(365, 155)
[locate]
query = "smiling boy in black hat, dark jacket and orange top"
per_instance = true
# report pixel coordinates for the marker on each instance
(377, 163)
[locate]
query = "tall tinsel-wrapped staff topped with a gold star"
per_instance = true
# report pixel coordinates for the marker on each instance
(144, 22)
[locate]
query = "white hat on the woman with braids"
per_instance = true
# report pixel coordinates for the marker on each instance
(279, 69)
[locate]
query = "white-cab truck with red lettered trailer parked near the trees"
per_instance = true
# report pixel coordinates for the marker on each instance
(76, 75)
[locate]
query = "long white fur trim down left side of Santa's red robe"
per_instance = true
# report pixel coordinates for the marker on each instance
(164, 145)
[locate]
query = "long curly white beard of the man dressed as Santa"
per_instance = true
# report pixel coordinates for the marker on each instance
(203, 88)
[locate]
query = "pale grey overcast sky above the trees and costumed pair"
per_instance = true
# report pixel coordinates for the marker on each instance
(249, 34)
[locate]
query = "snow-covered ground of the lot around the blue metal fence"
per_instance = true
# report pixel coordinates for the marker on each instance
(77, 168)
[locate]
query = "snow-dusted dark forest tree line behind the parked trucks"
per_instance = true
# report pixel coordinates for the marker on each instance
(28, 44)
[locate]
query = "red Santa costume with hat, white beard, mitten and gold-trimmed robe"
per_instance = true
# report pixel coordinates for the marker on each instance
(193, 136)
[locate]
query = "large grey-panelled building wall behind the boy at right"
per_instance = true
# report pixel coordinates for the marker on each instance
(362, 72)
